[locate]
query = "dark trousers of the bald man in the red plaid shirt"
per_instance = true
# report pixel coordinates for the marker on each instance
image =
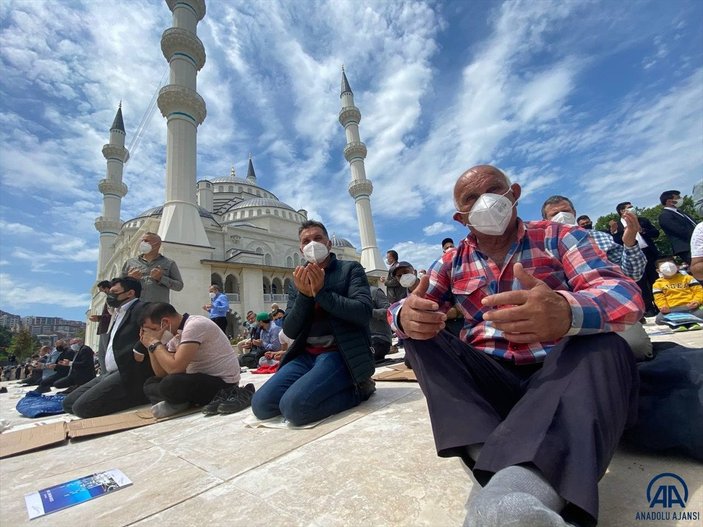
(565, 417)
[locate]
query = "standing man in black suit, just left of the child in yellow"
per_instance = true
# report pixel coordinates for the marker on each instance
(645, 239)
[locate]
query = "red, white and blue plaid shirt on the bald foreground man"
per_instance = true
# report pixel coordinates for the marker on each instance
(602, 299)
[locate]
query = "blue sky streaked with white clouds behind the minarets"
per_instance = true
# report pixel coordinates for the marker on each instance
(601, 101)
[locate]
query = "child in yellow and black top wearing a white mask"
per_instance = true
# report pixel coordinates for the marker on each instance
(675, 292)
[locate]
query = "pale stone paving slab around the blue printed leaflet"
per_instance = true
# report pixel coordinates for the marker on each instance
(160, 480)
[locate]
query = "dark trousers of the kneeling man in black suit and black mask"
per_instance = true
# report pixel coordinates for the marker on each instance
(103, 395)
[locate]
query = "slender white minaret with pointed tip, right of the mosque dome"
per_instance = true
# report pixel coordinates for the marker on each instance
(360, 188)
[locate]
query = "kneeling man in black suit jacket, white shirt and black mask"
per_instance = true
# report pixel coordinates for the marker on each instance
(121, 386)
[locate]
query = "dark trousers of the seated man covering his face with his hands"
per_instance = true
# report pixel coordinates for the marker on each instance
(178, 388)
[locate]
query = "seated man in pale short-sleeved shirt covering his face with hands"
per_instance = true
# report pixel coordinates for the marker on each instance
(192, 359)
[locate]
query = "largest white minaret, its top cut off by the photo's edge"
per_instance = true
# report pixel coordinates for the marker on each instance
(184, 110)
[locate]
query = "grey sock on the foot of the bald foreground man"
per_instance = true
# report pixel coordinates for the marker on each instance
(518, 496)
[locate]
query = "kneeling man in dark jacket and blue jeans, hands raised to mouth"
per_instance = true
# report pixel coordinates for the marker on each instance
(328, 367)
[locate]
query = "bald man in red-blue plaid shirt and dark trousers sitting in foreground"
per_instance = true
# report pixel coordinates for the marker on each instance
(537, 392)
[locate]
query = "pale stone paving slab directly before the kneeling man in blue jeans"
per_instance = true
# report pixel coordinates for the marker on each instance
(224, 447)
